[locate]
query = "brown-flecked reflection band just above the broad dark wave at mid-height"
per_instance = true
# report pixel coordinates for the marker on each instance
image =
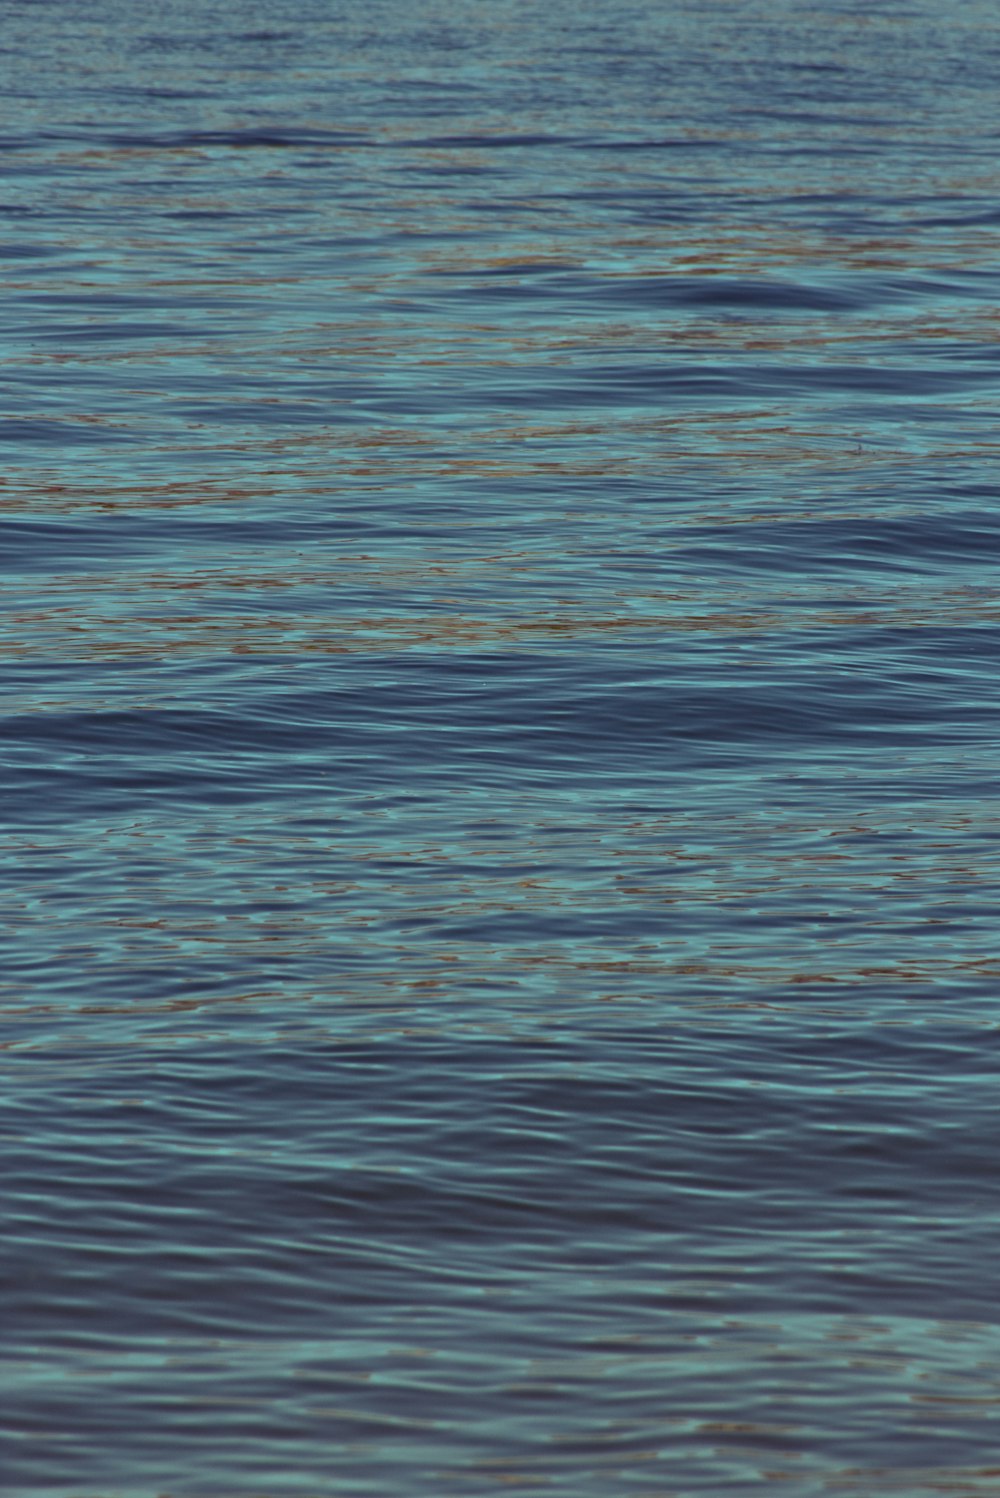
(143, 624)
